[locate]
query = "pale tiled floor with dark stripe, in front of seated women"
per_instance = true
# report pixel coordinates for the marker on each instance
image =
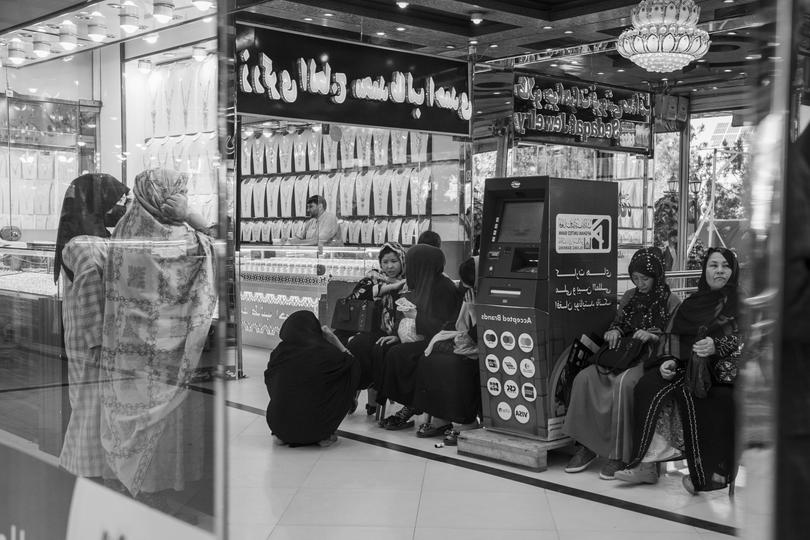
(356, 490)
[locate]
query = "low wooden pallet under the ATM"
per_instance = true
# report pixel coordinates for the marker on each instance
(492, 445)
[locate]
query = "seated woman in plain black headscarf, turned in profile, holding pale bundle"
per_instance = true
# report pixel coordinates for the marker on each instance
(436, 303)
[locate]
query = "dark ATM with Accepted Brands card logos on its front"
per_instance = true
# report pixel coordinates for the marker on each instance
(547, 274)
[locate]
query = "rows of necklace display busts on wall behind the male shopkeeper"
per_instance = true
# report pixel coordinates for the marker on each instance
(404, 197)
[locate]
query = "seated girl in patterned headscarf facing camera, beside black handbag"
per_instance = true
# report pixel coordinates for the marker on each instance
(382, 286)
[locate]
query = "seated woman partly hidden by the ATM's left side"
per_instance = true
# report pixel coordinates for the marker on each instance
(448, 386)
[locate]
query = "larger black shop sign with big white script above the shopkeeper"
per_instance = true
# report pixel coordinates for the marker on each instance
(295, 76)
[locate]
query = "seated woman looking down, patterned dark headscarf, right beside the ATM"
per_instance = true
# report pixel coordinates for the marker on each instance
(600, 413)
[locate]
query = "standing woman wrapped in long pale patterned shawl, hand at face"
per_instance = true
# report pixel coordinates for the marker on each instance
(160, 299)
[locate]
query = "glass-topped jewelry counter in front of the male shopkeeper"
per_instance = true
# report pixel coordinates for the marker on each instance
(277, 281)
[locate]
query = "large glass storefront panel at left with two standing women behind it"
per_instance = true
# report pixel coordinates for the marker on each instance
(107, 277)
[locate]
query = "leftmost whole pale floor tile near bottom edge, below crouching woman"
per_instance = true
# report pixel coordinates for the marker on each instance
(352, 508)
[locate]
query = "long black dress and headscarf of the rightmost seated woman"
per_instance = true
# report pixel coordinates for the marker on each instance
(708, 422)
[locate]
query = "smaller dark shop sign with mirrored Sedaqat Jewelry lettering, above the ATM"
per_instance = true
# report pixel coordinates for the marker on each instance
(547, 110)
